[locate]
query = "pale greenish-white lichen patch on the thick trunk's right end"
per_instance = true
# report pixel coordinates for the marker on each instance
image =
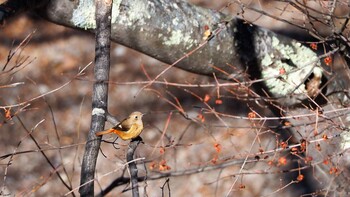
(287, 67)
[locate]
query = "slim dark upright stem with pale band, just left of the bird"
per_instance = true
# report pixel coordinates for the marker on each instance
(99, 97)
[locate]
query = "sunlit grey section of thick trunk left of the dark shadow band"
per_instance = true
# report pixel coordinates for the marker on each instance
(165, 30)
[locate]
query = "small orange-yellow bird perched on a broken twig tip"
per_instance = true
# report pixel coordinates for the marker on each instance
(127, 129)
